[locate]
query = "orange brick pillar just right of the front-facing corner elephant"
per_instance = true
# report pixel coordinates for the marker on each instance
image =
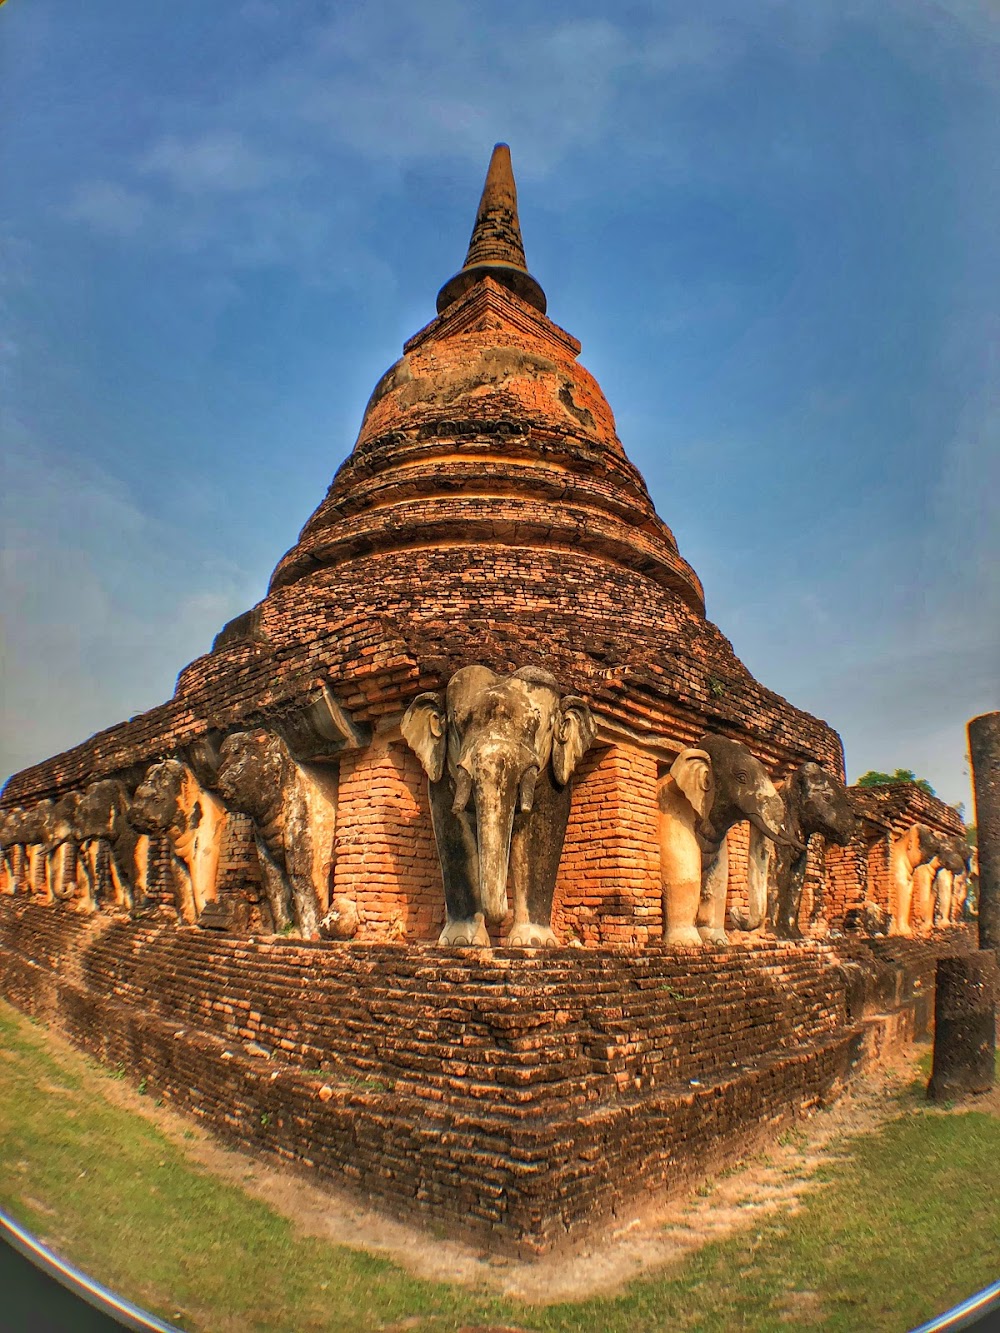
(609, 887)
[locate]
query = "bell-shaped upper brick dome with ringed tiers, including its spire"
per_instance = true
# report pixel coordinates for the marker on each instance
(490, 430)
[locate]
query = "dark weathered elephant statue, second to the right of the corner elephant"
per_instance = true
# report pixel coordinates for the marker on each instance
(815, 802)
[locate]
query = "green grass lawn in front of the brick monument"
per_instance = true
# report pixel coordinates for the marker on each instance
(907, 1224)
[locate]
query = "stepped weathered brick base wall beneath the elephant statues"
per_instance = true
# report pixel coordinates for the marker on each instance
(523, 1095)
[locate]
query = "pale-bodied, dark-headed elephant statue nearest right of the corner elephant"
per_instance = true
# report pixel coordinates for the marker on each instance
(711, 787)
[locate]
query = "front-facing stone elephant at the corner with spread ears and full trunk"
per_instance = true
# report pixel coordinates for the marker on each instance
(499, 754)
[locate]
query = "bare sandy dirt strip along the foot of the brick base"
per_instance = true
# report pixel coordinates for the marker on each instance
(778, 1179)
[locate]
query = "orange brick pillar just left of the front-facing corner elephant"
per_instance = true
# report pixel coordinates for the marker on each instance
(386, 856)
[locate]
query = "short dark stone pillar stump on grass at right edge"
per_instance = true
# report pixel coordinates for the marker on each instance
(965, 1056)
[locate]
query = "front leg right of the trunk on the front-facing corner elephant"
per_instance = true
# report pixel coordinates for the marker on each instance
(537, 848)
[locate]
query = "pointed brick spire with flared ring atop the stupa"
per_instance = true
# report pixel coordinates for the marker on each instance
(497, 249)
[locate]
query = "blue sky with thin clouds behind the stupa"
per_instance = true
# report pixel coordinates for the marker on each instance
(773, 226)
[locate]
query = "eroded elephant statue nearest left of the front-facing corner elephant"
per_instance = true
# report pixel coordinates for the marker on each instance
(294, 812)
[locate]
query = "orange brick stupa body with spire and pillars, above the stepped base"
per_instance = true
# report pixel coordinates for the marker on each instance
(486, 514)
